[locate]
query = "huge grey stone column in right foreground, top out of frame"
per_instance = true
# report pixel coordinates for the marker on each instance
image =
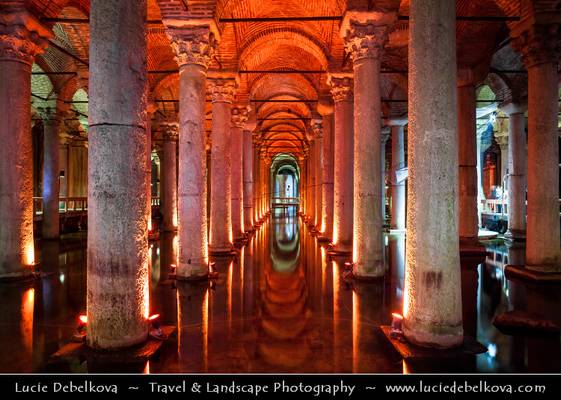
(432, 307)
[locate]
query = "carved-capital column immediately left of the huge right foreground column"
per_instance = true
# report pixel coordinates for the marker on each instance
(365, 35)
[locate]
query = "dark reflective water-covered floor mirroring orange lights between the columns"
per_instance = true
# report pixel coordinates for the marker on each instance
(280, 305)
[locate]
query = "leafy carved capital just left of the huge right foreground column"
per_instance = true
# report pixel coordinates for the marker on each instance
(365, 32)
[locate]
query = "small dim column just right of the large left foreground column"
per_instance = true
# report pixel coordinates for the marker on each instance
(170, 136)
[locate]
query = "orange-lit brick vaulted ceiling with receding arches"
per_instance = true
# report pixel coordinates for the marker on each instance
(312, 45)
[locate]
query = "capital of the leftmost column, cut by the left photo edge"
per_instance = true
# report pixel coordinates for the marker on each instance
(22, 36)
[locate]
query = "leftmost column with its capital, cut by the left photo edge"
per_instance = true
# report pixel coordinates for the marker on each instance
(21, 38)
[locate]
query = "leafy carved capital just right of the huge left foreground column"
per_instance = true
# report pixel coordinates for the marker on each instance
(192, 45)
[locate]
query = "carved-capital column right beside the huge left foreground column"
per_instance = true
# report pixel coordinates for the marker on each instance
(193, 47)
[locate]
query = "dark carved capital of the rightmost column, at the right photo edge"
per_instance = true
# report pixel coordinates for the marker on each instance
(539, 44)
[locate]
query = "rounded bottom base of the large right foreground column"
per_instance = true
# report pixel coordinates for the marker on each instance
(435, 336)
